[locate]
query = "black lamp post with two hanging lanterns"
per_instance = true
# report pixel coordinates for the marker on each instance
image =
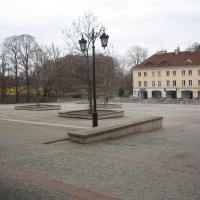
(104, 41)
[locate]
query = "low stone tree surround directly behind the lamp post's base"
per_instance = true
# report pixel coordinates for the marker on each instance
(84, 114)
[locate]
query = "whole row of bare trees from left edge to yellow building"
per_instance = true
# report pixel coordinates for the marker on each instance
(37, 66)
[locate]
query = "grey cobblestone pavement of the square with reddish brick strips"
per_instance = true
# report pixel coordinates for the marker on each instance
(161, 164)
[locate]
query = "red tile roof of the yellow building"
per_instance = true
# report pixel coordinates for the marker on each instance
(172, 59)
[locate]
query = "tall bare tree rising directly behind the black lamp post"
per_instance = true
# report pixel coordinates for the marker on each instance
(82, 68)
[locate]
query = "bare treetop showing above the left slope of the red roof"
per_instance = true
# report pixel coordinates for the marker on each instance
(135, 55)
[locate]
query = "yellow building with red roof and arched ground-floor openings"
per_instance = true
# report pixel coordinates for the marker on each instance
(168, 75)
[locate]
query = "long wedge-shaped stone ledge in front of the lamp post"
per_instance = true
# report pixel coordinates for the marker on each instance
(111, 132)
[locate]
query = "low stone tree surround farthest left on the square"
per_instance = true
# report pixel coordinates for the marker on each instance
(41, 107)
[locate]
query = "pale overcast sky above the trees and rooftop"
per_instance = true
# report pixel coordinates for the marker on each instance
(153, 24)
